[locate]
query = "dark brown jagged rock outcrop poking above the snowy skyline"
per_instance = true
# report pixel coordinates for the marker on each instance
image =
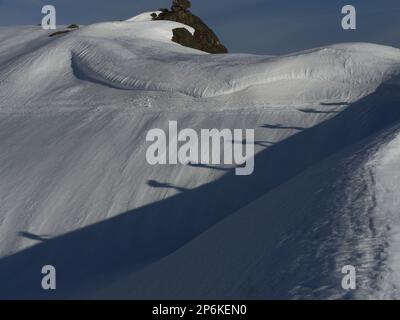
(204, 38)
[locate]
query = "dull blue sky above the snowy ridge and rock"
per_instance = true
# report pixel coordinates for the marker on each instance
(253, 26)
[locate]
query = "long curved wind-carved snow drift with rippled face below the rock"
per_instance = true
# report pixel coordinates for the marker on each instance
(133, 66)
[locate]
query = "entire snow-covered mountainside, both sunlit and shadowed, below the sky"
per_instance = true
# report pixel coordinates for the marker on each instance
(77, 192)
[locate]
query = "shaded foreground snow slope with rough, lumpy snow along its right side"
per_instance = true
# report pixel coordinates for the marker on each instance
(279, 249)
